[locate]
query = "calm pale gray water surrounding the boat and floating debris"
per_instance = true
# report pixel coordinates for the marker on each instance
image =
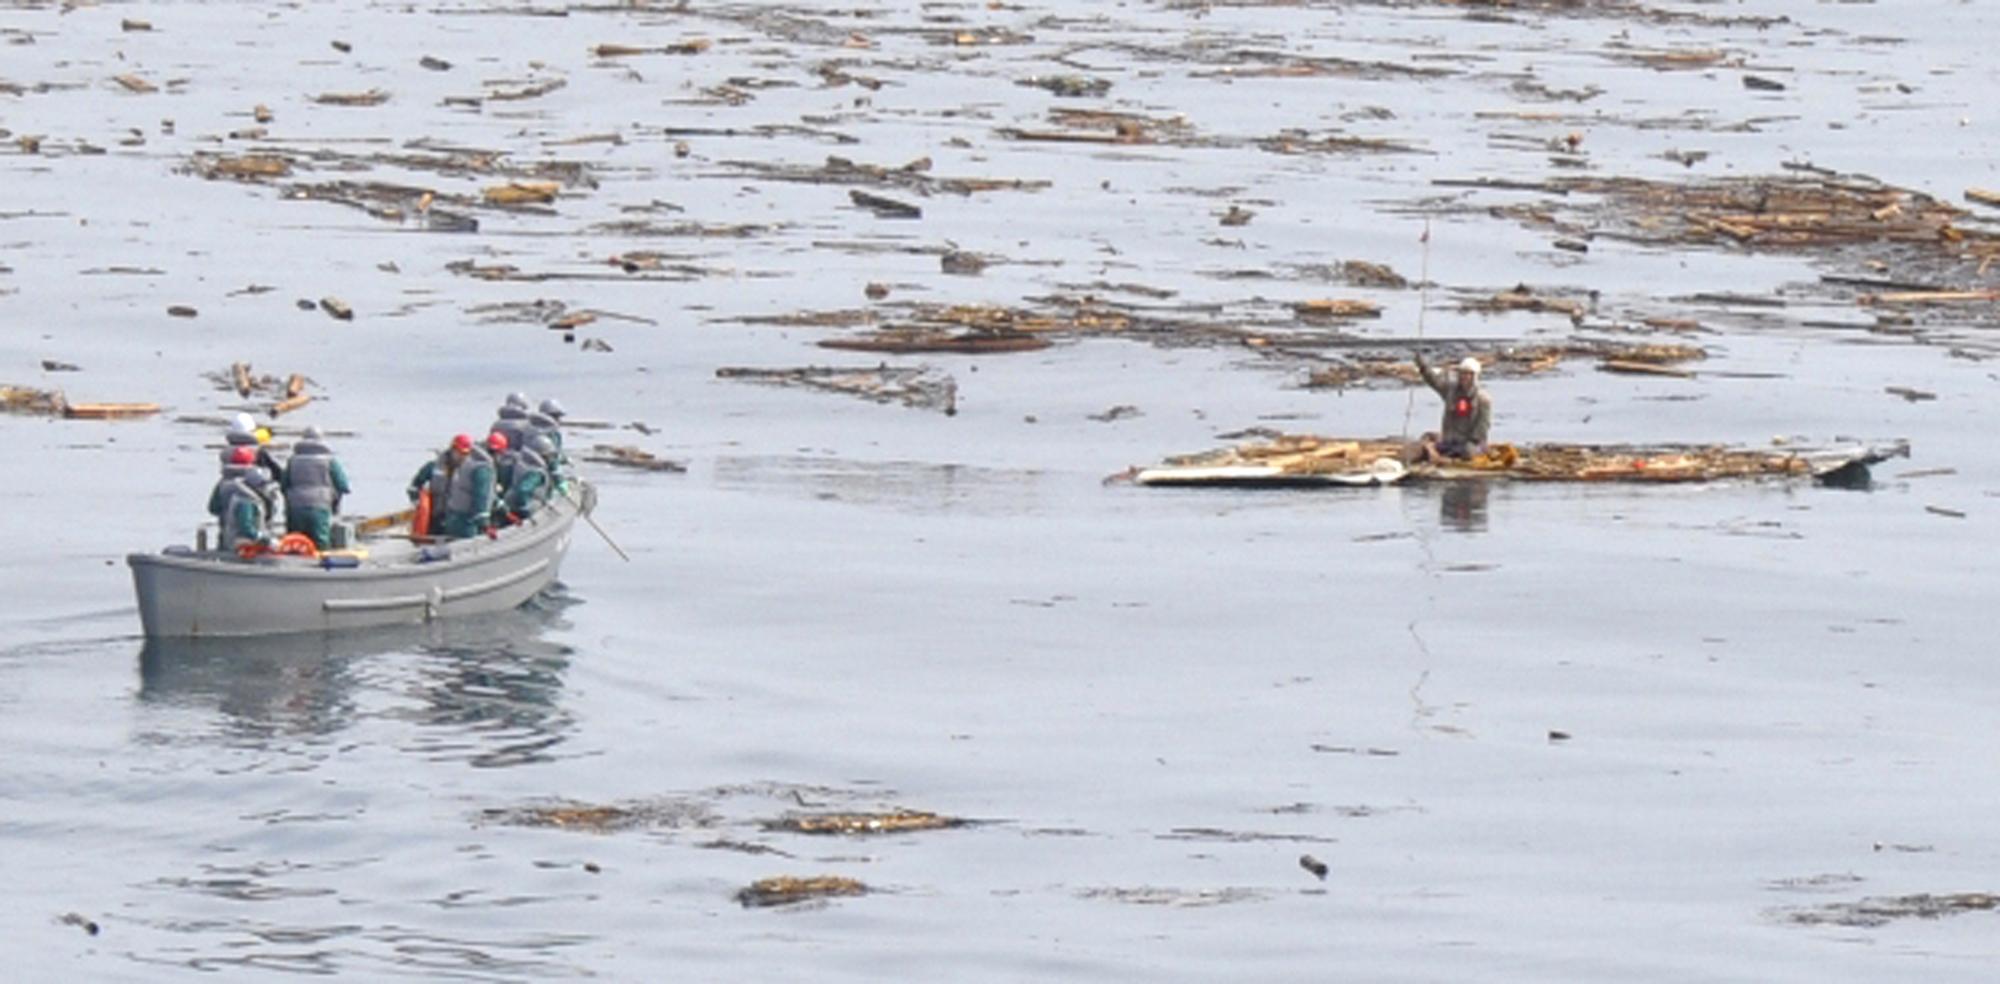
(1779, 699)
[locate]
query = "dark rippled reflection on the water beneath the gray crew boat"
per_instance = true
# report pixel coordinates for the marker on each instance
(493, 683)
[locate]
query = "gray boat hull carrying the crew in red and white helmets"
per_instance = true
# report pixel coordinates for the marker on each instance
(385, 579)
